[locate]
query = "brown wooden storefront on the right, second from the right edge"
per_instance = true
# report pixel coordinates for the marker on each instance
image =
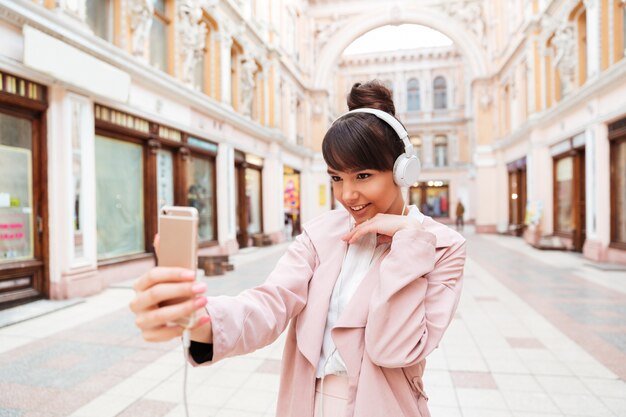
(569, 192)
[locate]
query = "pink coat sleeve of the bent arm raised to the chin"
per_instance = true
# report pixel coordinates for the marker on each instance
(415, 300)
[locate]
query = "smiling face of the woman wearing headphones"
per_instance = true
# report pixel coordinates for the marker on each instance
(366, 193)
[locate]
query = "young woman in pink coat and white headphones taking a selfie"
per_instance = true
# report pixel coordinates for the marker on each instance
(367, 292)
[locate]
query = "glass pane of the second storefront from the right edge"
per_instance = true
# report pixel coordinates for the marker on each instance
(564, 193)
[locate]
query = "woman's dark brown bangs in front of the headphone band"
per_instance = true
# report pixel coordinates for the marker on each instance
(359, 144)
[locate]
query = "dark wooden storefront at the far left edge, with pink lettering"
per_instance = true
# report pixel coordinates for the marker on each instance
(23, 191)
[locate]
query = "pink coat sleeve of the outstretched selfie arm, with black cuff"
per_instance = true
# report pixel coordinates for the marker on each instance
(257, 316)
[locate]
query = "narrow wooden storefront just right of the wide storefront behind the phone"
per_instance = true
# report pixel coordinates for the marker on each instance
(248, 198)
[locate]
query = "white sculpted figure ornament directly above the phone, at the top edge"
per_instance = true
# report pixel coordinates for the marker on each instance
(192, 31)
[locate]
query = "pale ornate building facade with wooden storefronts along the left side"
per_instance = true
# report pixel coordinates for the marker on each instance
(111, 109)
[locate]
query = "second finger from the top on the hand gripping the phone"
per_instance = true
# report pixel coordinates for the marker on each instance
(161, 293)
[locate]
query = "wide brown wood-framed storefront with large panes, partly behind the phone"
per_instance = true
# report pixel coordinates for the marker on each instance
(141, 166)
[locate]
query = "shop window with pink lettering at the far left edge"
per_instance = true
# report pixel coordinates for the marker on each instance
(16, 189)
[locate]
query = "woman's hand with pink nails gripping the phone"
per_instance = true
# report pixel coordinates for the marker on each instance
(164, 296)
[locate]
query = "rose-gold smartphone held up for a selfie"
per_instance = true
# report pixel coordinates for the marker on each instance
(178, 243)
